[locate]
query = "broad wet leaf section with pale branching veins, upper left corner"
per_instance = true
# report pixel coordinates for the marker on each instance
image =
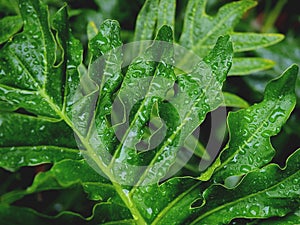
(28, 72)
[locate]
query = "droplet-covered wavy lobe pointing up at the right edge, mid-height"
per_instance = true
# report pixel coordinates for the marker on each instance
(250, 129)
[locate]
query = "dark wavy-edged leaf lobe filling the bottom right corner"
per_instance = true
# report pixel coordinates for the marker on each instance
(256, 196)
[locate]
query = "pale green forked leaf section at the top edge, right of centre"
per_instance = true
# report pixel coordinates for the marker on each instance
(200, 29)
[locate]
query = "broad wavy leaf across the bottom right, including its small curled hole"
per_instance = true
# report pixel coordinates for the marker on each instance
(256, 196)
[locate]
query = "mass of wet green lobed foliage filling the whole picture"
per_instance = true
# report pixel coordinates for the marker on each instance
(59, 114)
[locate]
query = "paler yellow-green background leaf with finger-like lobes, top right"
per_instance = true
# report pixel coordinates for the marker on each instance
(200, 31)
